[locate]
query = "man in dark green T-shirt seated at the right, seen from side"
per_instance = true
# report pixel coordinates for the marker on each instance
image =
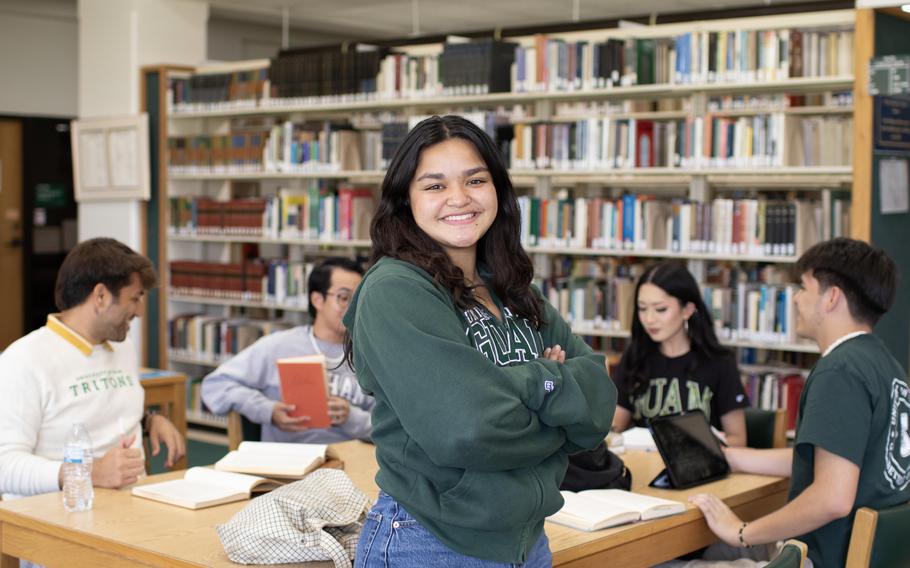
(852, 445)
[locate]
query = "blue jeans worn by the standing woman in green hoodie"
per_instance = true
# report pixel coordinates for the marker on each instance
(392, 538)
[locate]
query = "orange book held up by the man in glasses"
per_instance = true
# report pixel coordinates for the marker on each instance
(304, 384)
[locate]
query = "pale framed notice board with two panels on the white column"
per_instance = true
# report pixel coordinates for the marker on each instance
(111, 158)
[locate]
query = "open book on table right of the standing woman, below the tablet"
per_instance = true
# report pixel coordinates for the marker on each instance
(597, 509)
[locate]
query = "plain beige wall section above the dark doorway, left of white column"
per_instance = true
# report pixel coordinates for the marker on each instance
(38, 57)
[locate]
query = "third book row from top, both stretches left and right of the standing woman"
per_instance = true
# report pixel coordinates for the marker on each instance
(630, 224)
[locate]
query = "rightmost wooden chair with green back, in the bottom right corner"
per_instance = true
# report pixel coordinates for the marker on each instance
(879, 538)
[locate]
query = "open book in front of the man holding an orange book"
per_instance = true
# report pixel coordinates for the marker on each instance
(274, 459)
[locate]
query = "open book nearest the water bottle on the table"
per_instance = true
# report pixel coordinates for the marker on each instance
(204, 487)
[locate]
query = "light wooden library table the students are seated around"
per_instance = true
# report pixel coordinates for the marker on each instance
(123, 530)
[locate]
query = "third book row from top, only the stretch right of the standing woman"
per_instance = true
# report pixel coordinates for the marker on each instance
(748, 228)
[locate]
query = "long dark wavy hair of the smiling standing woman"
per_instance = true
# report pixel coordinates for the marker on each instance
(395, 233)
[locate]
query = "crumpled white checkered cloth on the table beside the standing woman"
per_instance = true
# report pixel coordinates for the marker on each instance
(316, 518)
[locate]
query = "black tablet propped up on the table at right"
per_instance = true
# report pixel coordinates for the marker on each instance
(690, 451)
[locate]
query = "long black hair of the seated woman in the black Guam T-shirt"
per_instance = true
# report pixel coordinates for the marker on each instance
(674, 279)
